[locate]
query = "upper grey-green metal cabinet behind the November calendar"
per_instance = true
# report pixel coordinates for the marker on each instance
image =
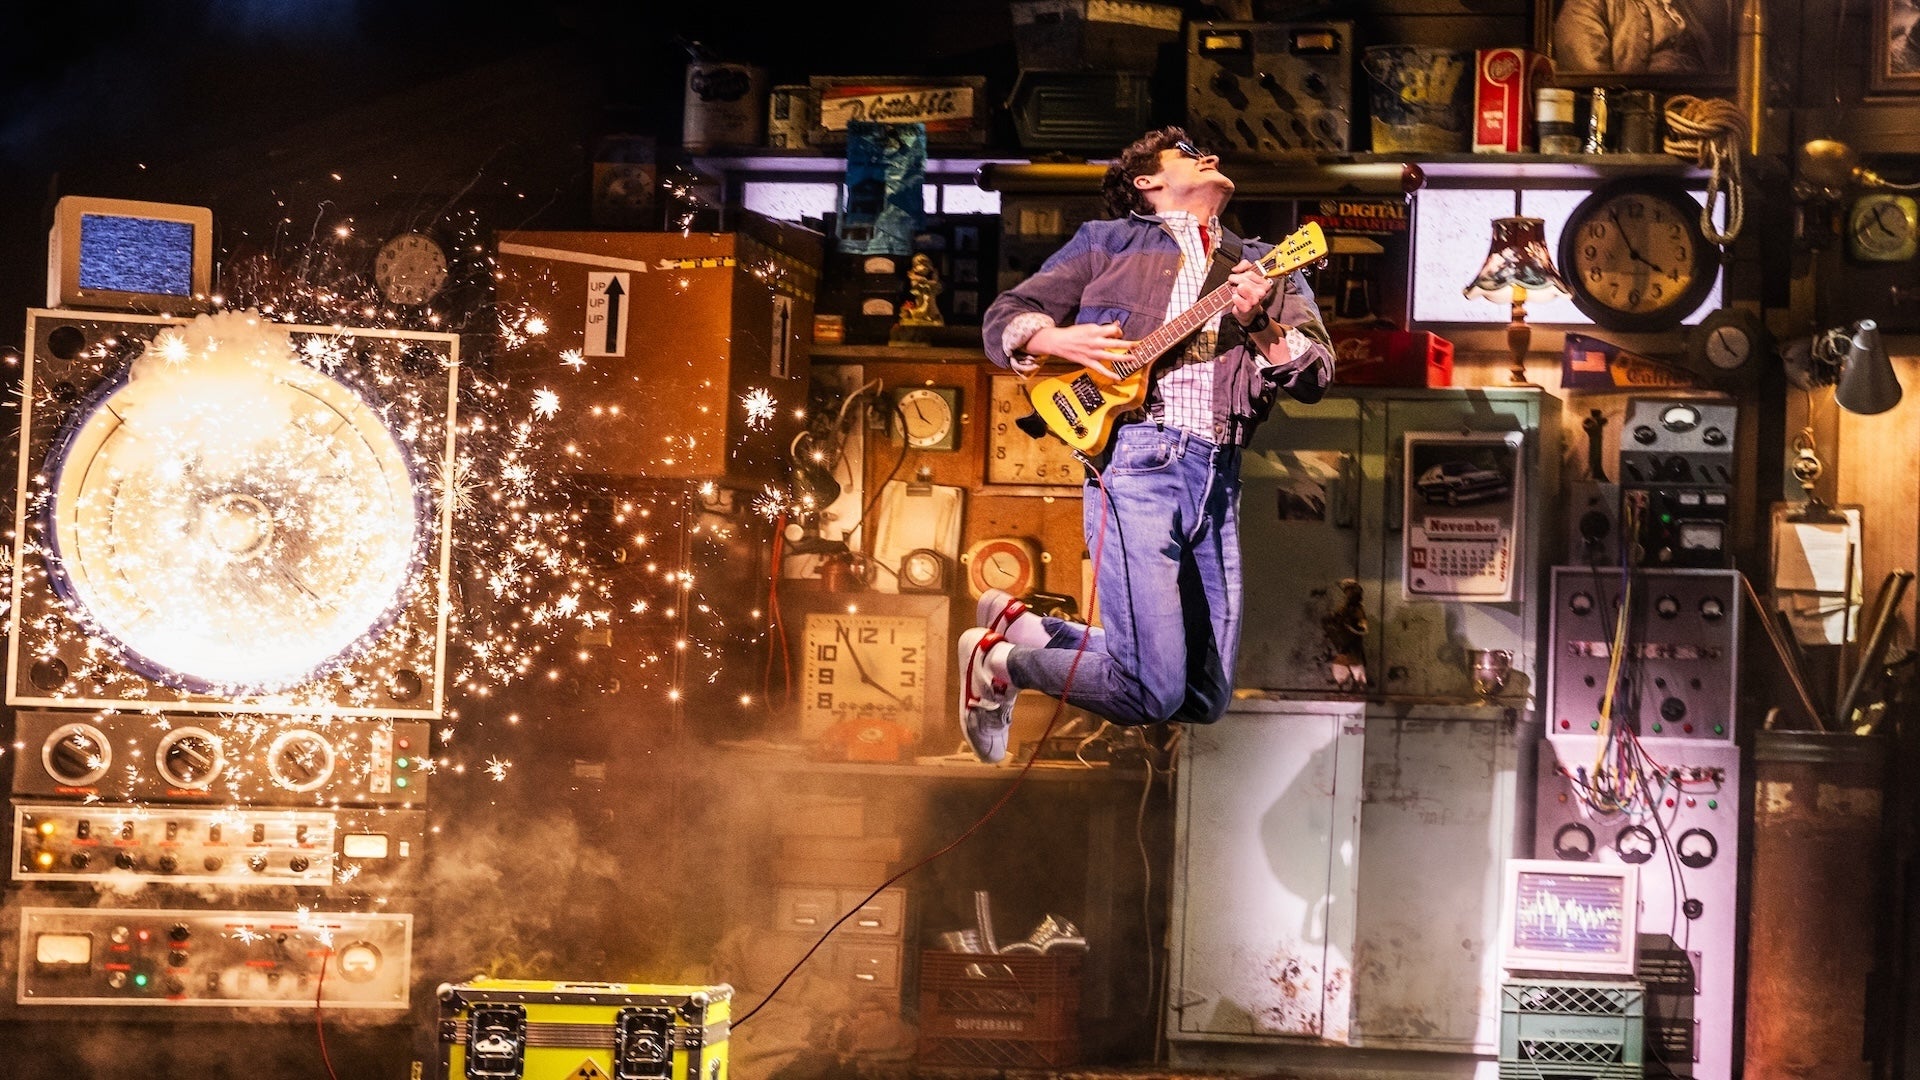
(1324, 501)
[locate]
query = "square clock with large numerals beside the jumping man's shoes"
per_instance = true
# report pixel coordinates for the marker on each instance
(875, 656)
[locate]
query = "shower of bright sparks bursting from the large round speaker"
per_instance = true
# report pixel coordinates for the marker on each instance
(546, 545)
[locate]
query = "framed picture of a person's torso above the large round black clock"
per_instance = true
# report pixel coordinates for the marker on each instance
(1679, 45)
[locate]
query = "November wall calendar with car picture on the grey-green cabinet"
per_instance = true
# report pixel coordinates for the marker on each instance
(1464, 501)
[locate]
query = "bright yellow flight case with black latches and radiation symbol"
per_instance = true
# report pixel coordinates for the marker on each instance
(519, 1029)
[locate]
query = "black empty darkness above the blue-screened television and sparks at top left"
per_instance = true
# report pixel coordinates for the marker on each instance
(421, 107)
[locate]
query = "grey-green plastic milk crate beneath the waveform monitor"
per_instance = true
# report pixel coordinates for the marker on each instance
(1564, 1029)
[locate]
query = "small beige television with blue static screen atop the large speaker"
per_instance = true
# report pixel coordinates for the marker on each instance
(126, 255)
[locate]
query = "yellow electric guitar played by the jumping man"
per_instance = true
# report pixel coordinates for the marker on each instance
(1082, 406)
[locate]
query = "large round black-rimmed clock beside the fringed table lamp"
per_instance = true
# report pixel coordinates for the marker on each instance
(1635, 255)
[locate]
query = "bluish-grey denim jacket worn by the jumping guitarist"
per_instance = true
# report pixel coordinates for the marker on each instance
(1122, 272)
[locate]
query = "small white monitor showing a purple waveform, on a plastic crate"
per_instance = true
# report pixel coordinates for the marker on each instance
(1570, 918)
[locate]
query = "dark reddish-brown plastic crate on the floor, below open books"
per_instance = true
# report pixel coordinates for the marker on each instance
(999, 1010)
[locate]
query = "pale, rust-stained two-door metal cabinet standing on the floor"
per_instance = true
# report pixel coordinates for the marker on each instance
(1337, 877)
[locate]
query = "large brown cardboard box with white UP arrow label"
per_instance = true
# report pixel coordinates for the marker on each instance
(675, 335)
